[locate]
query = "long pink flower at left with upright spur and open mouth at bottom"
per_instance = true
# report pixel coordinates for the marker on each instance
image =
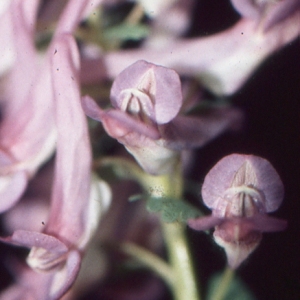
(77, 201)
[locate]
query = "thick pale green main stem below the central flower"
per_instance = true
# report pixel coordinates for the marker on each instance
(185, 285)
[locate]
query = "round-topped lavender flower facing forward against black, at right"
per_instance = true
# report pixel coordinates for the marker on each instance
(240, 190)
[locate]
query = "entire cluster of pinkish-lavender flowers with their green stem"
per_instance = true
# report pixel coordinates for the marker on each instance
(169, 95)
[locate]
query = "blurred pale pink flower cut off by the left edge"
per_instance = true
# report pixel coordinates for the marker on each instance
(26, 141)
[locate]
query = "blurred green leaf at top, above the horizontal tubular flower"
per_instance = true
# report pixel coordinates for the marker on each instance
(125, 32)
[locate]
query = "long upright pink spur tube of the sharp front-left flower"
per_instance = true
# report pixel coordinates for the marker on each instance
(70, 197)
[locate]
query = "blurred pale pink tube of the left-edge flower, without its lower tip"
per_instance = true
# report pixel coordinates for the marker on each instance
(29, 139)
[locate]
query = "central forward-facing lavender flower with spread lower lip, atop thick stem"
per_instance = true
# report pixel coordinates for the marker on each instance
(146, 100)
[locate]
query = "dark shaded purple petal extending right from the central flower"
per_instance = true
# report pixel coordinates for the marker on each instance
(186, 132)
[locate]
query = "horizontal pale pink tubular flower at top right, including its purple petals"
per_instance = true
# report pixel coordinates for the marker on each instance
(262, 30)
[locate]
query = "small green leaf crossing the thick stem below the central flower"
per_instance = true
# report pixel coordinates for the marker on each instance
(172, 210)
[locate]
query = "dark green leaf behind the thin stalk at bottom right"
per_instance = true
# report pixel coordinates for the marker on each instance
(236, 289)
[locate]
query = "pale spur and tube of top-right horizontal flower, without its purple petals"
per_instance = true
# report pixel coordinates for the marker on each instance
(203, 57)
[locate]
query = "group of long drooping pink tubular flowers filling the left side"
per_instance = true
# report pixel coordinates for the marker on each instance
(42, 114)
